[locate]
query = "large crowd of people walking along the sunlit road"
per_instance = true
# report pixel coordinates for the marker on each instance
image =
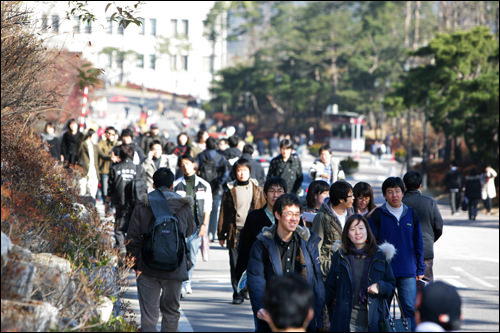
(352, 255)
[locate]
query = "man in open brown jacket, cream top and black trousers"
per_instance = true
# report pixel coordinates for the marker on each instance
(240, 197)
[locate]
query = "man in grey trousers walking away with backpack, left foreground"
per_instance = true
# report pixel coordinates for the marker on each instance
(159, 290)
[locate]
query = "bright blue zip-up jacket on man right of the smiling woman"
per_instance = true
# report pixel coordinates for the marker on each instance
(405, 235)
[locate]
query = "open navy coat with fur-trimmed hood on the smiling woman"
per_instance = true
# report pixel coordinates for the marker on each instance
(339, 287)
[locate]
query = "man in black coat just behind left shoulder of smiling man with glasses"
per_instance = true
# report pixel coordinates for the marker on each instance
(257, 219)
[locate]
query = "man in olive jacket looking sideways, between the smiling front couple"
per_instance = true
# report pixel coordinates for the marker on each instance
(330, 220)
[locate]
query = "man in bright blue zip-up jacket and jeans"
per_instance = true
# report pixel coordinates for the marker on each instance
(396, 223)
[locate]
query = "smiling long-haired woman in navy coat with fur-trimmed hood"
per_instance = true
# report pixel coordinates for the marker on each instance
(360, 278)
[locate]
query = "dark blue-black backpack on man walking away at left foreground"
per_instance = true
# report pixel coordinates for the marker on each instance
(164, 244)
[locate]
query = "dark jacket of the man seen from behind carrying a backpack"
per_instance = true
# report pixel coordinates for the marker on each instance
(142, 216)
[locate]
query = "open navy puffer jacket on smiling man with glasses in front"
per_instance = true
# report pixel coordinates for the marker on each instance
(265, 262)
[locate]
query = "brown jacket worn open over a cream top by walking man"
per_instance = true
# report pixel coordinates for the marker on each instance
(227, 217)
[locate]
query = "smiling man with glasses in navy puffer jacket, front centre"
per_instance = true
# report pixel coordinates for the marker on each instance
(281, 248)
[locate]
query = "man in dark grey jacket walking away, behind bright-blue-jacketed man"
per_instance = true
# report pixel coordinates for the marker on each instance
(431, 221)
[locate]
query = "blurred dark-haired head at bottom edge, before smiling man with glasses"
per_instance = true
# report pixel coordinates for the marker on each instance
(288, 299)
